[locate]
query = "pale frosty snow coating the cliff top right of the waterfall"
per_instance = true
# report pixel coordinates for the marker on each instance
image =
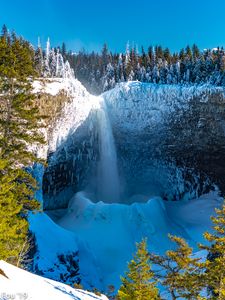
(135, 106)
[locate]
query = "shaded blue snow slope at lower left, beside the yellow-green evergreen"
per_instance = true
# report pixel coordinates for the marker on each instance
(52, 240)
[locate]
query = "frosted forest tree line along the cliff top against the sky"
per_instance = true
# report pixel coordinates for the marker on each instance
(101, 71)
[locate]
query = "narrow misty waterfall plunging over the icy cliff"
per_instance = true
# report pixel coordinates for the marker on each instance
(108, 176)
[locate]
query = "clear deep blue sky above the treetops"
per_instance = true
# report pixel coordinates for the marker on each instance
(87, 23)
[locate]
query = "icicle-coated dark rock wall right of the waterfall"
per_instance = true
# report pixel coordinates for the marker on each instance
(170, 139)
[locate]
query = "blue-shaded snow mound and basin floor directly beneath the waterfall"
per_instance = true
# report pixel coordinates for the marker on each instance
(110, 231)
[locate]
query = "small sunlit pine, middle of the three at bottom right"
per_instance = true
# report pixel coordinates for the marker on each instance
(181, 273)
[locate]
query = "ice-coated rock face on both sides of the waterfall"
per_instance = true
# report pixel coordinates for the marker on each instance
(169, 141)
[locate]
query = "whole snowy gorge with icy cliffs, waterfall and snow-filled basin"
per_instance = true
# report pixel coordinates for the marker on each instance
(141, 160)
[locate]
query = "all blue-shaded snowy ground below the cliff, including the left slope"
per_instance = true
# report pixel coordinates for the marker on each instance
(105, 234)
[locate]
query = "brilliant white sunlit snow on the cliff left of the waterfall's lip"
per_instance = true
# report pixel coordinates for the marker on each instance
(74, 113)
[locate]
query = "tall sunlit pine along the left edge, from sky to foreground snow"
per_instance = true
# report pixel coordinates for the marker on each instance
(19, 124)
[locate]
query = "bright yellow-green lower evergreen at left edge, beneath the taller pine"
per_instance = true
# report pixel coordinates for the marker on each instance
(14, 228)
